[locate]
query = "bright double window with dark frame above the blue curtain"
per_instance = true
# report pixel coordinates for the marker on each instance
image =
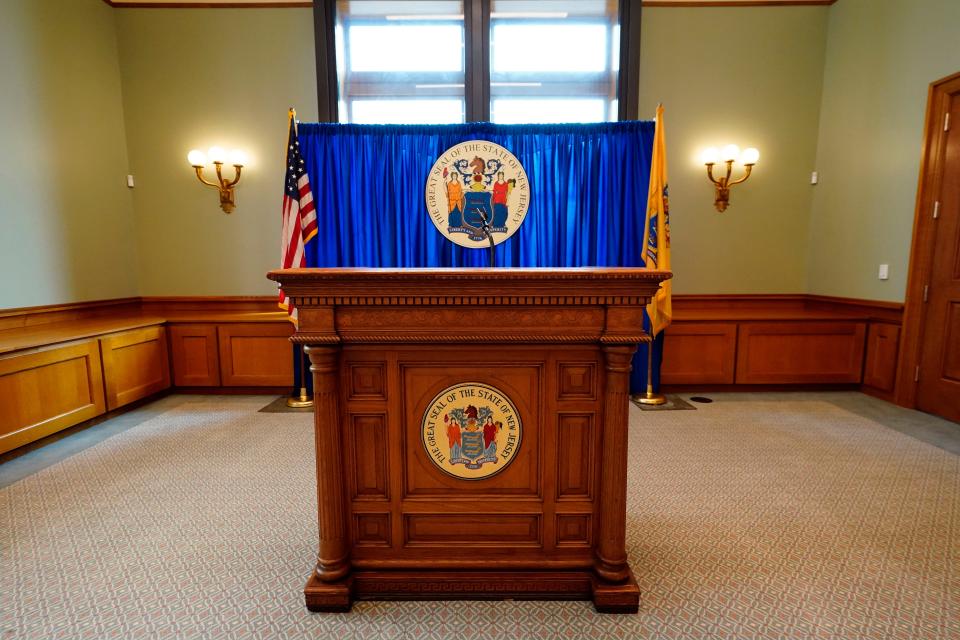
(448, 61)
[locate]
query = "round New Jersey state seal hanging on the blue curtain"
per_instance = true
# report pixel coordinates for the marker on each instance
(475, 182)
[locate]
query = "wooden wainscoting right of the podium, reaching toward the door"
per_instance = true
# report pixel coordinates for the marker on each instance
(782, 339)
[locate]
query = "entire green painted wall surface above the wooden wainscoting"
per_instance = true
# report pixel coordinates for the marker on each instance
(192, 78)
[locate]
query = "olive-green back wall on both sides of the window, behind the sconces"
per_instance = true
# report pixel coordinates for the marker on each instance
(173, 103)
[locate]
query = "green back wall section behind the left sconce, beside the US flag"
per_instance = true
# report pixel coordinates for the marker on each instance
(191, 79)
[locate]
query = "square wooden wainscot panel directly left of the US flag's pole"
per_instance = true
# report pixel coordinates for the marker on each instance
(255, 355)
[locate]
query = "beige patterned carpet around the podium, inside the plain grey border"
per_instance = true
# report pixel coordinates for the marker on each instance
(779, 519)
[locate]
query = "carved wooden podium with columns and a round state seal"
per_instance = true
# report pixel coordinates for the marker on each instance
(471, 431)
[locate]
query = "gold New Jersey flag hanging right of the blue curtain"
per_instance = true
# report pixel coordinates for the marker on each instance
(656, 233)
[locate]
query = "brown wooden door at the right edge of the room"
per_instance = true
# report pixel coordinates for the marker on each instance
(938, 387)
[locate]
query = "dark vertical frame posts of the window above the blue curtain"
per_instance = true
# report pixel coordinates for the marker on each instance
(477, 77)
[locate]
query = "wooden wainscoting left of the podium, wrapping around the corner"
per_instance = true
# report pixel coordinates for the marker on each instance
(61, 365)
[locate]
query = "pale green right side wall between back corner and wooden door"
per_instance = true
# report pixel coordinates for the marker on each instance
(881, 57)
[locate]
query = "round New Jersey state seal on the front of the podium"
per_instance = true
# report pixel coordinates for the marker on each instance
(471, 431)
